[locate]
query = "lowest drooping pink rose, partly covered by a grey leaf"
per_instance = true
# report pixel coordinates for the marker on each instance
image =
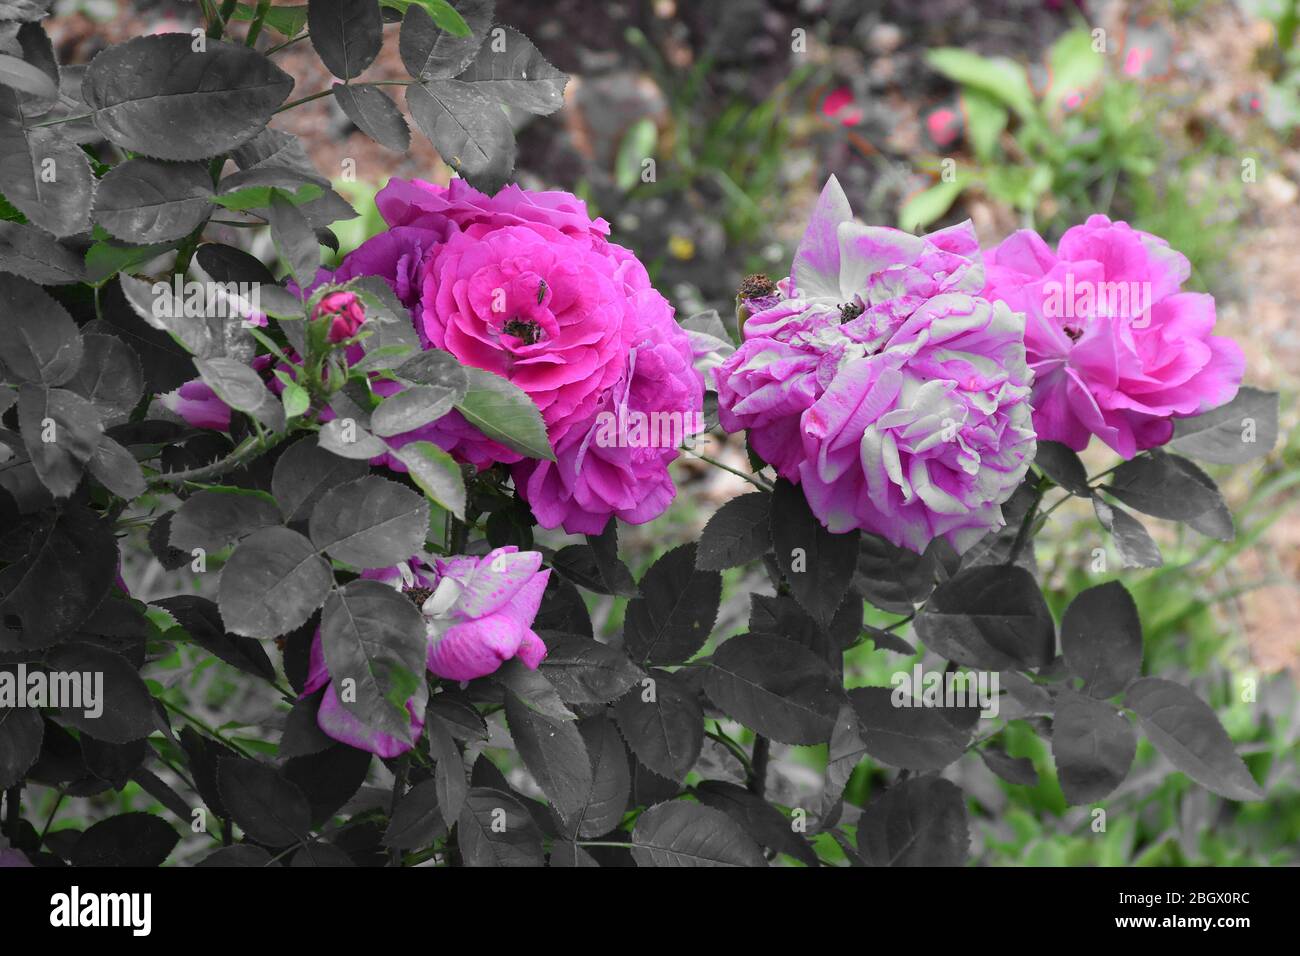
(479, 615)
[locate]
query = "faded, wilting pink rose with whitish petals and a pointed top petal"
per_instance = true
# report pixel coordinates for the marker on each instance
(885, 384)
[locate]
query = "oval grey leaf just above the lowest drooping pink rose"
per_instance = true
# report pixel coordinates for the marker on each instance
(370, 524)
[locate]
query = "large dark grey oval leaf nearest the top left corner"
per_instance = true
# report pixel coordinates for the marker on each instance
(150, 93)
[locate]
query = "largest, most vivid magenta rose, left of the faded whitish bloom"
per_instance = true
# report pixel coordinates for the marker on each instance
(528, 287)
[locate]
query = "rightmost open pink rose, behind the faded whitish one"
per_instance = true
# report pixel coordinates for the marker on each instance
(1116, 348)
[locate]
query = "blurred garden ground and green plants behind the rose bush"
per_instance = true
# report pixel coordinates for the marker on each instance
(704, 132)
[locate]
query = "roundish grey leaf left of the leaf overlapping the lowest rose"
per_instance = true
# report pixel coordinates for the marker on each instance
(272, 583)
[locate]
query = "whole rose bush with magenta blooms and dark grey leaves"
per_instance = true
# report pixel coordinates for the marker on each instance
(335, 522)
